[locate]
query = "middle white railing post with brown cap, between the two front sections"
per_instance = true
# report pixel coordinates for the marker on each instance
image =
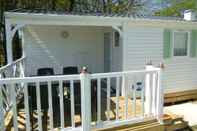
(85, 100)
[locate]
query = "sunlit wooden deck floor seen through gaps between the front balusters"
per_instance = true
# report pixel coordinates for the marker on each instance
(21, 114)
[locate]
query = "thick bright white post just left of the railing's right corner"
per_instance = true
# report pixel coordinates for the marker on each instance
(148, 90)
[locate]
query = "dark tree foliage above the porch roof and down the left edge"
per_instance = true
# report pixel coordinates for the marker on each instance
(96, 6)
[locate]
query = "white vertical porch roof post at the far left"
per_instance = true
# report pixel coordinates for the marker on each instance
(8, 42)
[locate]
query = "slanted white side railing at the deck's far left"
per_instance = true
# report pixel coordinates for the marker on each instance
(13, 70)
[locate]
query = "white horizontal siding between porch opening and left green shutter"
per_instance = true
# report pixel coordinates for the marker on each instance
(142, 45)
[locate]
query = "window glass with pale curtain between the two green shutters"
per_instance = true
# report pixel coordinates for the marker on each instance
(180, 40)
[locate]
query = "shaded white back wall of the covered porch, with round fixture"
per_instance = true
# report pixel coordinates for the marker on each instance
(45, 47)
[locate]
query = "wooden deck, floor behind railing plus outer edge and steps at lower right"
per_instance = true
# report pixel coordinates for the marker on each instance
(170, 119)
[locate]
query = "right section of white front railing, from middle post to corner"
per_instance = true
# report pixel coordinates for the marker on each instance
(150, 96)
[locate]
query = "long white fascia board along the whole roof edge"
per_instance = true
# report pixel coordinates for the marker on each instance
(80, 20)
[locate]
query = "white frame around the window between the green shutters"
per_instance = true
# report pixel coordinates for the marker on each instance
(188, 43)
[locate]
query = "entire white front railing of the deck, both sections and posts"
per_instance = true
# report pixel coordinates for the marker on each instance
(107, 84)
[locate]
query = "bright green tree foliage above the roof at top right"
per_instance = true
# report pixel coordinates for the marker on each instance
(177, 7)
